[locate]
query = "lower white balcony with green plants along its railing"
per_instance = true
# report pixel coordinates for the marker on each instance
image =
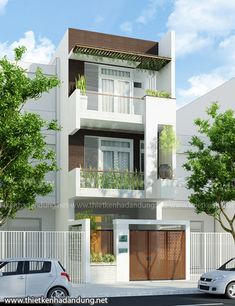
(112, 184)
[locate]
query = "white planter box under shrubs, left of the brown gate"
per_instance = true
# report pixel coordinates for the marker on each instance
(103, 272)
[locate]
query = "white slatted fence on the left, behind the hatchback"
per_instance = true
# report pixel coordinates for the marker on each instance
(64, 246)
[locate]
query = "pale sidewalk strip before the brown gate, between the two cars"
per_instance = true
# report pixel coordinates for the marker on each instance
(133, 288)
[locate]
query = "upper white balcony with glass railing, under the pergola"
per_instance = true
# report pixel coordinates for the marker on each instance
(105, 111)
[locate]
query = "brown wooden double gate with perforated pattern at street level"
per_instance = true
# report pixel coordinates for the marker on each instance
(157, 255)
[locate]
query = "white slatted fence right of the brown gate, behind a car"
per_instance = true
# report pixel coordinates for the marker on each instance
(209, 251)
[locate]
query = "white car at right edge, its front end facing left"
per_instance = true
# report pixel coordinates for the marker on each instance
(220, 281)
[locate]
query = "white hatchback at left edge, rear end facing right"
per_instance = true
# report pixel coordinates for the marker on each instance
(30, 277)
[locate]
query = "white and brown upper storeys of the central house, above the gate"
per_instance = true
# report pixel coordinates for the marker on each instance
(109, 151)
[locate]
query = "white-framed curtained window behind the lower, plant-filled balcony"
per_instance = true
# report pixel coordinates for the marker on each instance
(116, 154)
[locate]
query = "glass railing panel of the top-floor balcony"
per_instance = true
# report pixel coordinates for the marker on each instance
(106, 102)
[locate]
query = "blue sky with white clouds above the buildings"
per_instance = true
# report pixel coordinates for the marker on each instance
(205, 32)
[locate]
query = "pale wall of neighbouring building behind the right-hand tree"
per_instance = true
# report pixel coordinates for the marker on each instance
(186, 115)
